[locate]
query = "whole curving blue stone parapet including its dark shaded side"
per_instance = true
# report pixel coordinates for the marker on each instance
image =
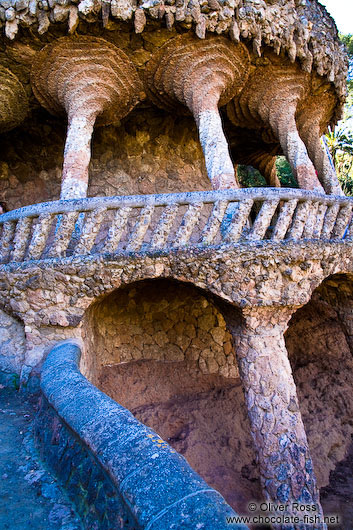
(120, 473)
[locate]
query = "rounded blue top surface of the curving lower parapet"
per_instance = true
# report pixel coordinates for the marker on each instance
(99, 421)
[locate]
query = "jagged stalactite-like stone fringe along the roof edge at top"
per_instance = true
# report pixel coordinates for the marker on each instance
(302, 30)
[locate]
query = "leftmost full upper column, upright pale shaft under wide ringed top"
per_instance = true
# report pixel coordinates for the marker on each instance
(94, 83)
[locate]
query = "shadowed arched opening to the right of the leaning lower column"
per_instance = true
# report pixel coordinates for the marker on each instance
(320, 346)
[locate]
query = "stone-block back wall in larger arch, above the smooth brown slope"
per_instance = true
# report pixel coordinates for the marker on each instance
(162, 321)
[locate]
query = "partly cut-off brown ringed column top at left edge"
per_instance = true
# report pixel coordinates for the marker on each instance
(13, 100)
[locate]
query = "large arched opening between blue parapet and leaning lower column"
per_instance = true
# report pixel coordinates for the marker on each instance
(162, 349)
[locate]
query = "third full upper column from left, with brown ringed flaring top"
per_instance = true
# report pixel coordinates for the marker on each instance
(271, 98)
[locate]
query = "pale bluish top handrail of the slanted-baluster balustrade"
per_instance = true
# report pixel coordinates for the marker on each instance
(164, 199)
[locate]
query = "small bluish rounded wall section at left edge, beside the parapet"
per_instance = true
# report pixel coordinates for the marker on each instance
(12, 348)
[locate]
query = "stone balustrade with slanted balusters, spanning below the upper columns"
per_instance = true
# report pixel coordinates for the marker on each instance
(168, 222)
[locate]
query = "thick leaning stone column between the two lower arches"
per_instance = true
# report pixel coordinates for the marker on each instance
(277, 428)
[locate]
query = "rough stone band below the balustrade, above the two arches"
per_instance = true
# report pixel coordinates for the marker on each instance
(51, 299)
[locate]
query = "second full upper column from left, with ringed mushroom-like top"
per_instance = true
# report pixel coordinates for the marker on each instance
(201, 75)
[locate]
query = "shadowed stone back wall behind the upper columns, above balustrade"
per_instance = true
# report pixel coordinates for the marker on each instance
(151, 152)
